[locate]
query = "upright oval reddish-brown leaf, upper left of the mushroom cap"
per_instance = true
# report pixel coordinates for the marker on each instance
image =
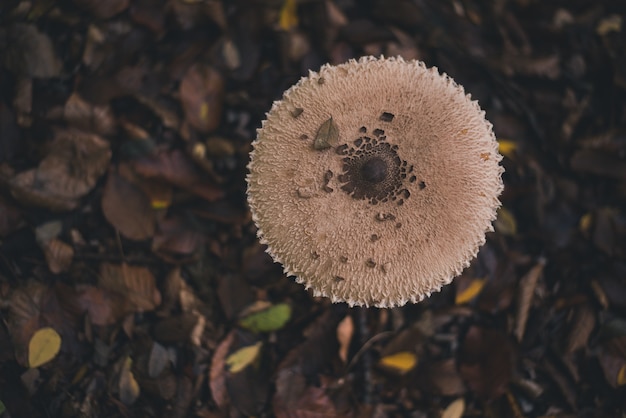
(202, 93)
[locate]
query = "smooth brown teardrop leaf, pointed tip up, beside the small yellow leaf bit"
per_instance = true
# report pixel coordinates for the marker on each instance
(127, 208)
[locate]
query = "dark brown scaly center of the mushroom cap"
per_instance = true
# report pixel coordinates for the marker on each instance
(373, 170)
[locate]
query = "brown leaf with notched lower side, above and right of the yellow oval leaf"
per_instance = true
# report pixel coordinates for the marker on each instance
(137, 284)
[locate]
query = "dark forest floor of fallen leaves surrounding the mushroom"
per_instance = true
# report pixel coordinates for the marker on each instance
(132, 283)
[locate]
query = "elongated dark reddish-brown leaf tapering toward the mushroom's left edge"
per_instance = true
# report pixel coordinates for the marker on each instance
(177, 169)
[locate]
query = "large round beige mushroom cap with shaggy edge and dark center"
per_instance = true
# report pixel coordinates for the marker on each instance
(374, 182)
